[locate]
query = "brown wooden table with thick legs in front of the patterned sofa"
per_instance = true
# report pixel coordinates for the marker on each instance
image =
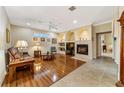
(18, 63)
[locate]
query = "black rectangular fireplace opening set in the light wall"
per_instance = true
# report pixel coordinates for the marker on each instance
(82, 49)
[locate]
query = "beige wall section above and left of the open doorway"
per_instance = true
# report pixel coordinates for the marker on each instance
(106, 27)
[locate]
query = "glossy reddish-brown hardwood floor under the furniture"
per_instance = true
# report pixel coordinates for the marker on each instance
(46, 72)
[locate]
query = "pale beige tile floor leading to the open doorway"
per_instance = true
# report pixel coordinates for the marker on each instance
(101, 72)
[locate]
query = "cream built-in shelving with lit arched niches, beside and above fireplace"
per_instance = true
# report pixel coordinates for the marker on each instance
(79, 35)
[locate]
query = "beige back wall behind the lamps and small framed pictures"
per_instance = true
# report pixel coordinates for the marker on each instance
(22, 33)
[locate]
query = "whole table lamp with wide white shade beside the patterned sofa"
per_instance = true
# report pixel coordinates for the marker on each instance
(21, 45)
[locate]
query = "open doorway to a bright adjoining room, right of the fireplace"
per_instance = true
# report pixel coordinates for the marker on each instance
(104, 44)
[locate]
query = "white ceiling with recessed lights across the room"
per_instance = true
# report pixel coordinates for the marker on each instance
(59, 16)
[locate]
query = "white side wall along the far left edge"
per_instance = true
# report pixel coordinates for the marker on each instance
(3, 25)
